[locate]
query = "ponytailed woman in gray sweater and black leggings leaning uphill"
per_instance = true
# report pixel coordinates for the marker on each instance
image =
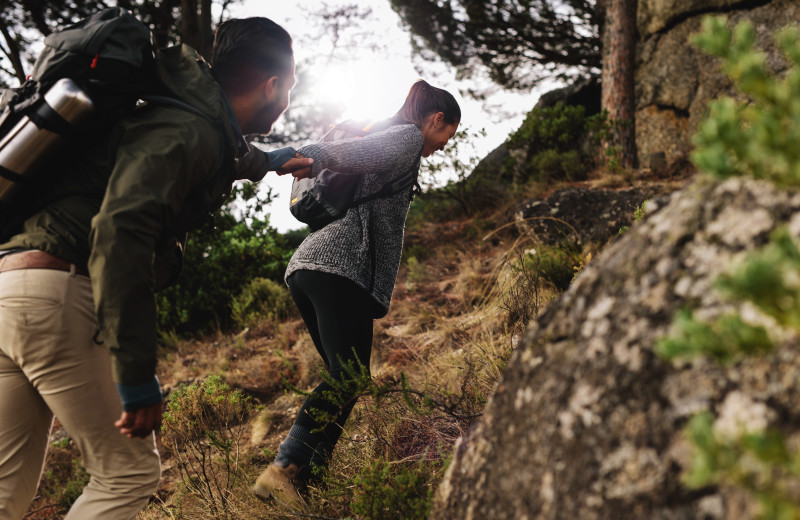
(343, 275)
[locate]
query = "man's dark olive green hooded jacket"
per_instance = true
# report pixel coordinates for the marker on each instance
(119, 211)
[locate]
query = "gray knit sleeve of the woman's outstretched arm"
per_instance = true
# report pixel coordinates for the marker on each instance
(381, 153)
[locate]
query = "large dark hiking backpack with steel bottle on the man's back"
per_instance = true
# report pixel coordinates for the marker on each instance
(89, 76)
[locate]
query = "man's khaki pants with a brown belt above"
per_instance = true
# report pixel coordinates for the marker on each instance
(49, 364)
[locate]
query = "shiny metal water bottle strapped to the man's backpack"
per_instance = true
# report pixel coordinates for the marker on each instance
(38, 134)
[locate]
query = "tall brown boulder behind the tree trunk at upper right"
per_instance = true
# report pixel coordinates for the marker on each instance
(676, 81)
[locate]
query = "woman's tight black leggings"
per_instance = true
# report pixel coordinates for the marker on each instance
(339, 315)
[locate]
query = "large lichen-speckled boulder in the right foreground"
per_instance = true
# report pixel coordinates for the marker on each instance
(587, 421)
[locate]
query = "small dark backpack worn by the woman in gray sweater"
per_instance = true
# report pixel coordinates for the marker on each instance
(325, 198)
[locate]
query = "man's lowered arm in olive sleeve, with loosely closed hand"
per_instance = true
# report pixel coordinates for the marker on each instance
(158, 161)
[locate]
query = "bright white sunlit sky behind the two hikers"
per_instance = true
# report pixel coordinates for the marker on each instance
(373, 83)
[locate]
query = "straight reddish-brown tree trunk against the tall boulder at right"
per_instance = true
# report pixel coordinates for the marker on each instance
(619, 56)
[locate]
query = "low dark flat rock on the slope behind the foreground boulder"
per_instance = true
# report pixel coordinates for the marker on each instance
(588, 215)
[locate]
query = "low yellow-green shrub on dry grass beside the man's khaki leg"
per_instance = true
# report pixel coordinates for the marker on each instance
(203, 427)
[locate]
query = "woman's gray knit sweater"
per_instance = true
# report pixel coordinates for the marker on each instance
(365, 245)
